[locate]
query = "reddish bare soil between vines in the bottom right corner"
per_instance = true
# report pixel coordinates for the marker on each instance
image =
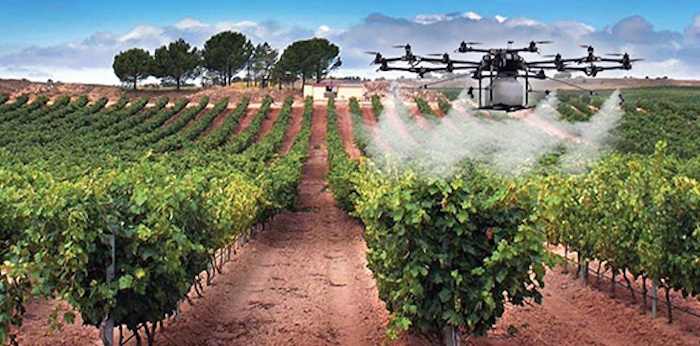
(574, 314)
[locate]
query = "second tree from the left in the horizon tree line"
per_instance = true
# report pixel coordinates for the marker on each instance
(176, 62)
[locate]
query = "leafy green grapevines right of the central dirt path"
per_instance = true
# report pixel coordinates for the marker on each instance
(449, 252)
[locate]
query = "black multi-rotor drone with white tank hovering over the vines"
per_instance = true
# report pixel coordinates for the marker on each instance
(500, 68)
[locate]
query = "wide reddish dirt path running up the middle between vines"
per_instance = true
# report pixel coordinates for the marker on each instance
(302, 281)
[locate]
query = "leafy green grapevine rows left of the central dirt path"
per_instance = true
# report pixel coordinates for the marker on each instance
(118, 209)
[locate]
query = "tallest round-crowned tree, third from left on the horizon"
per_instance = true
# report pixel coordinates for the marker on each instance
(225, 54)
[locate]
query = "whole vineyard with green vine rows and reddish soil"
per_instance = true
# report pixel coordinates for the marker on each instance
(138, 216)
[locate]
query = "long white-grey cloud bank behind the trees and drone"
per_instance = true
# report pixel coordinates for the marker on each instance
(666, 53)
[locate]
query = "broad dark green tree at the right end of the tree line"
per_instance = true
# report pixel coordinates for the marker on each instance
(312, 58)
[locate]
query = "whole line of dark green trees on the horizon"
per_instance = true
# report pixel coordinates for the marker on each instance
(224, 56)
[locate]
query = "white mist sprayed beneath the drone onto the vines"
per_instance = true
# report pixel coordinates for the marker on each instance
(512, 144)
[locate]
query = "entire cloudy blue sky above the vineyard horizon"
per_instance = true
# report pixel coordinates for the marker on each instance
(75, 41)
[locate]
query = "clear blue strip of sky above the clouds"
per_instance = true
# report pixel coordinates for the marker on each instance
(44, 22)
